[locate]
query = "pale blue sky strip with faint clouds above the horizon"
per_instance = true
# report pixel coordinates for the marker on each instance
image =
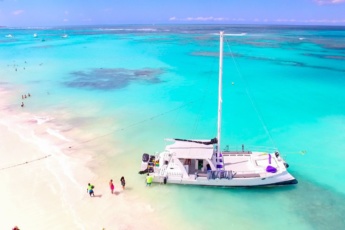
(96, 12)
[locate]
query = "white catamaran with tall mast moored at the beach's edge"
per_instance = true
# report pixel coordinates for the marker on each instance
(201, 162)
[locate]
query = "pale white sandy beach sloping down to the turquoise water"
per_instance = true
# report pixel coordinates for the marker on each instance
(43, 181)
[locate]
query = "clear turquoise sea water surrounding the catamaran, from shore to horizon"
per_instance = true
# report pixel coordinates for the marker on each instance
(141, 86)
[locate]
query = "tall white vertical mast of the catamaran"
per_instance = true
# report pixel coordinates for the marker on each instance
(220, 91)
